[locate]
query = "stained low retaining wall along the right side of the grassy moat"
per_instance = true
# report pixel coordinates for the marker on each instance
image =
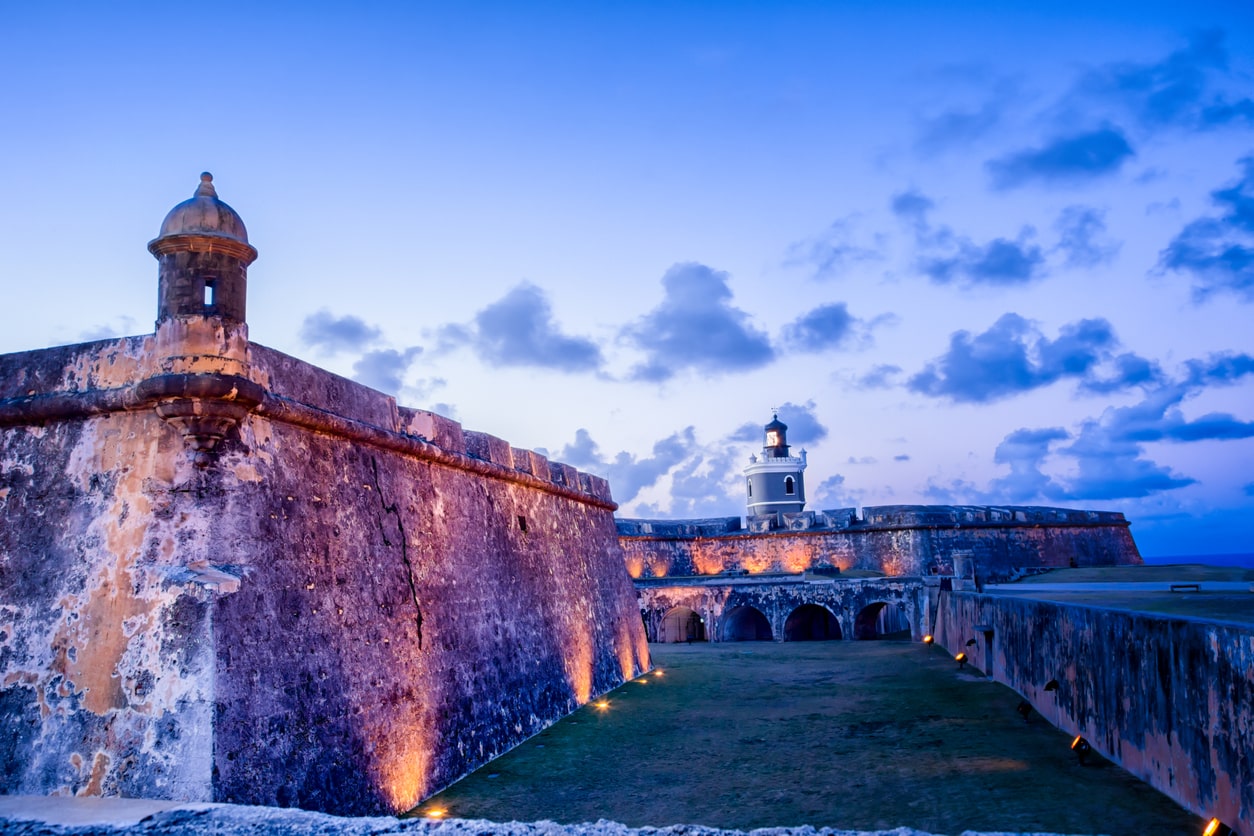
(1171, 700)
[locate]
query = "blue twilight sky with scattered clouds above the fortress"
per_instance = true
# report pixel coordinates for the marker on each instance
(989, 255)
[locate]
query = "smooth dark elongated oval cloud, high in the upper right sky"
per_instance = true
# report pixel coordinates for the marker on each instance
(1070, 160)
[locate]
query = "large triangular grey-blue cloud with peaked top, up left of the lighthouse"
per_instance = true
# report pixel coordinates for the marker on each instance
(697, 329)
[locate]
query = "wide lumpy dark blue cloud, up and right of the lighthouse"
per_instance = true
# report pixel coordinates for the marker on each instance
(1011, 358)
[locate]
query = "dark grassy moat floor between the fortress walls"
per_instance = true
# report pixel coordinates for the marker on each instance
(856, 735)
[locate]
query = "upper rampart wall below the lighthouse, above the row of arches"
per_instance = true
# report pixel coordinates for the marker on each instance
(1000, 542)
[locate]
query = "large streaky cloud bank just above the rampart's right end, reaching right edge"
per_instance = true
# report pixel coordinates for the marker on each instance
(1107, 458)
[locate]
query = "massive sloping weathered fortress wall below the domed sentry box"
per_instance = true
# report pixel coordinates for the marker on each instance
(349, 609)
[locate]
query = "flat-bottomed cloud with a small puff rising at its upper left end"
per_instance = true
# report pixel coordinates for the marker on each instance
(946, 258)
